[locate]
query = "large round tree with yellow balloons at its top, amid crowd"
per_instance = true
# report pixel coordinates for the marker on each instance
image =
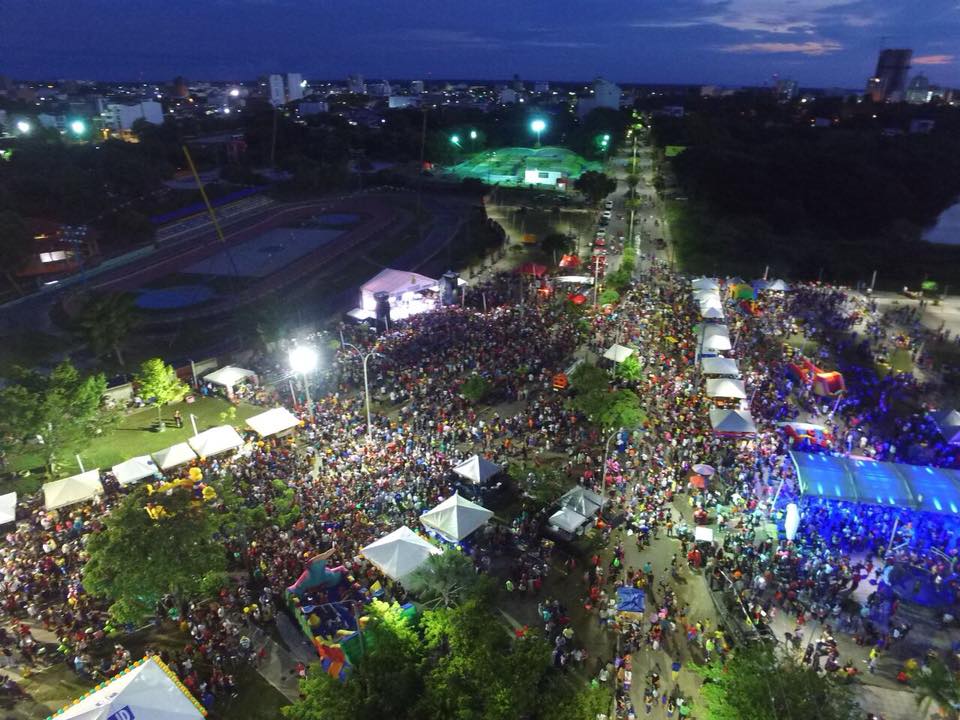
(137, 559)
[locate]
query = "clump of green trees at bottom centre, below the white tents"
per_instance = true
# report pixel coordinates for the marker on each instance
(457, 659)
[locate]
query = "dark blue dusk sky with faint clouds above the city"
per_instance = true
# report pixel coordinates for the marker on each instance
(817, 42)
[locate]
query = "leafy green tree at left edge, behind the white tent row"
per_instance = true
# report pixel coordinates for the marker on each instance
(62, 409)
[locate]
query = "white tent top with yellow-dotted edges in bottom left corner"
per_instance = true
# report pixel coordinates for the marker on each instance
(148, 689)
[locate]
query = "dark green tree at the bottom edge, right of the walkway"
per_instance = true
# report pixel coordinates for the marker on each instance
(758, 683)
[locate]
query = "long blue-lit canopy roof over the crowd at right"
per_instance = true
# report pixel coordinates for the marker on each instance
(920, 487)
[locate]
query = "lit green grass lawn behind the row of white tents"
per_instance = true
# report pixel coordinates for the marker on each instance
(133, 436)
